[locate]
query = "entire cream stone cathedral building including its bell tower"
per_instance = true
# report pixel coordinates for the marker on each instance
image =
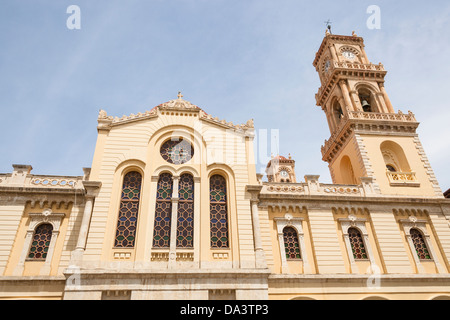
(173, 208)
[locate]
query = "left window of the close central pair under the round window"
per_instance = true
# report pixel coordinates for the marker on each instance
(163, 211)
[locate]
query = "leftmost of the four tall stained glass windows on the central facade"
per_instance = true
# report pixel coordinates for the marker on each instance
(128, 211)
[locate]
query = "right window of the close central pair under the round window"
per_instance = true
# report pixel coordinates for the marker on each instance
(185, 223)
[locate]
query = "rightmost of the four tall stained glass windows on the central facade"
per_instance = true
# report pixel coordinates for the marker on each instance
(218, 212)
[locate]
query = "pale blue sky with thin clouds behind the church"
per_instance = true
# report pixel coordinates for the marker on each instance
(236, 59)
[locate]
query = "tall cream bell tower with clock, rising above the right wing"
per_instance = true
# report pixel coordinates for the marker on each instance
(368, 138)
